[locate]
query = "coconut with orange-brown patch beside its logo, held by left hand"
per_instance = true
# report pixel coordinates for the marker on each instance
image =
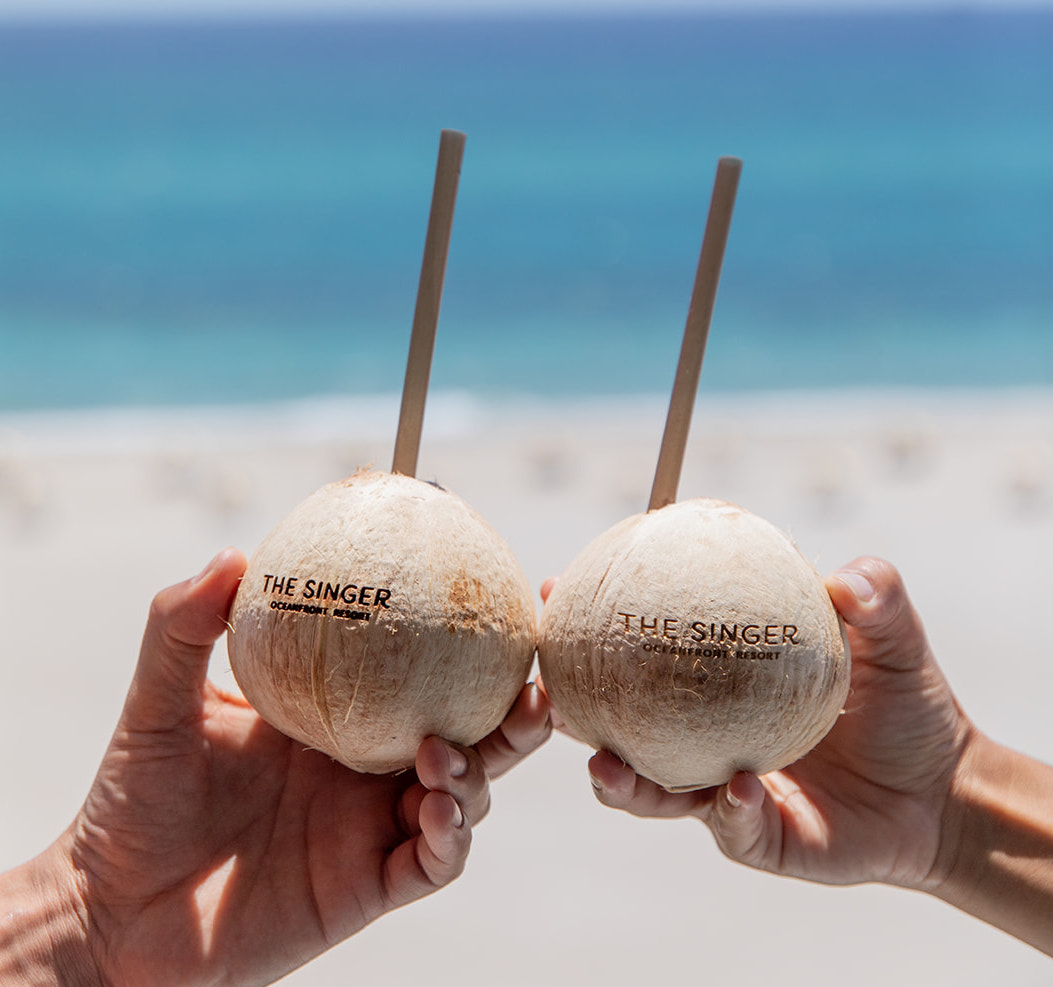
(381, 611)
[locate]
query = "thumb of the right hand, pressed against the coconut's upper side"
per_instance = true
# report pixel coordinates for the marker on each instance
(884, 628)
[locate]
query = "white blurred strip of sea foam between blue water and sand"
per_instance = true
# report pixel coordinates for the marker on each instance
(460, 414)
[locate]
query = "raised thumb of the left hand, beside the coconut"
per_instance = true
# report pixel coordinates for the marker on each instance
(185, 622)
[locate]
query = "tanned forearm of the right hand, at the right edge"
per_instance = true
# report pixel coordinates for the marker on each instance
(998, 856)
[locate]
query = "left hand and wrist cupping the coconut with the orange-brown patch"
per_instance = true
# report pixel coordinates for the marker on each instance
(213, 848)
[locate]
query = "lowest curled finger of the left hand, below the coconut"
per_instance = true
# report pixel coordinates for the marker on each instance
(432, 859)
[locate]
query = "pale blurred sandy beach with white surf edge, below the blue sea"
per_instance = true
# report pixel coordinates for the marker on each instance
(101, 510)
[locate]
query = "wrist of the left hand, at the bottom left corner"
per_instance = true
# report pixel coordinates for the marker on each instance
(43, 936)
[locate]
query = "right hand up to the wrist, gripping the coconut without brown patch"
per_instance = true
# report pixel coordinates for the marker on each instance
(866, 804)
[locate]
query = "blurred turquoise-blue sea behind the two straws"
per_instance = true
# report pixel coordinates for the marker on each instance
(201, 213)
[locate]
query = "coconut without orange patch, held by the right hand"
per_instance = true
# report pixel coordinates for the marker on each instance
(694, 642)
